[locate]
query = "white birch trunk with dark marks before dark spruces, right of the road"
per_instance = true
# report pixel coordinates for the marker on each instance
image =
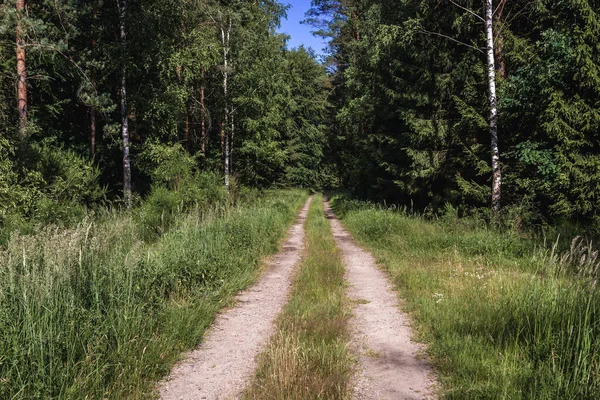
(496, 173)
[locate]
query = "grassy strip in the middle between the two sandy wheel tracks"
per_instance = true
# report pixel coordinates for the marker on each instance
(307, 357)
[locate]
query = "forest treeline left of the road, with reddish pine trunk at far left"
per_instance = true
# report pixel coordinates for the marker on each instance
(100, 92)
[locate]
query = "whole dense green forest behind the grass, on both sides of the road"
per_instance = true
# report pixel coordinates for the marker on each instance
(101, 93)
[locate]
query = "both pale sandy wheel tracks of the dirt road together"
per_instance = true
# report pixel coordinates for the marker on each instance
(390, 364)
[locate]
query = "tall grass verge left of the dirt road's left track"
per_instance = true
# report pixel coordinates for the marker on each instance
(97, 312)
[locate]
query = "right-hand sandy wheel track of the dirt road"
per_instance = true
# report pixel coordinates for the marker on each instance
(391, 366)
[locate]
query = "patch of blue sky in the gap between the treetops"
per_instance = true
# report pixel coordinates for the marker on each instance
(300, 34)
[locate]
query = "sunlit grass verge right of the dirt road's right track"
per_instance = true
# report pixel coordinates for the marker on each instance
(501, 319)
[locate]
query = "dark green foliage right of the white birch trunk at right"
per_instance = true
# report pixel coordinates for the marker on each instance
(551, 103)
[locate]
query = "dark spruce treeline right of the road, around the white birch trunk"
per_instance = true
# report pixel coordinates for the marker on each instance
(412, 102)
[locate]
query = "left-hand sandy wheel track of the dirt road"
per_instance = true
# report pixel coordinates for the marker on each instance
(225, 362)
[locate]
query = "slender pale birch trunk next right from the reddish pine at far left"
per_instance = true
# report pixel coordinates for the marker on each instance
(127, 195)
